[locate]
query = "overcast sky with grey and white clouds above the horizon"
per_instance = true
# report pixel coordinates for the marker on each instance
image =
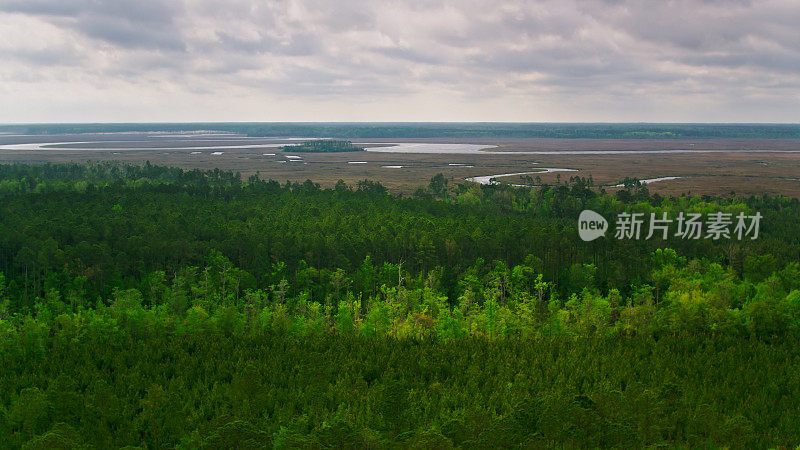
(399, 60)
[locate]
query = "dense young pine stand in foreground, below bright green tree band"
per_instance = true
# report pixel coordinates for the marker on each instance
(698, 391)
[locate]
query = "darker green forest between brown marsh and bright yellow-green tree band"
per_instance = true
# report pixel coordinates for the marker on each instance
(88, 229)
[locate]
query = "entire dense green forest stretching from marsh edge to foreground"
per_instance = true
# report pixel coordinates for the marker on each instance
(155, 307)
